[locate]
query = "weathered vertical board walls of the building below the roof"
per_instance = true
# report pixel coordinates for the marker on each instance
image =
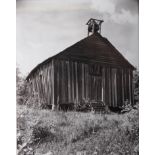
(61, 82)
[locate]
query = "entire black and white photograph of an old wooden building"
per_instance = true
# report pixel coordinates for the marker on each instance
(77, 77)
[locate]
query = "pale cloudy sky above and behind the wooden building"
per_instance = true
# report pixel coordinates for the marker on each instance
(46, 27)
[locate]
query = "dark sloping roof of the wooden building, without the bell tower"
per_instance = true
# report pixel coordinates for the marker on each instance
(92, 49)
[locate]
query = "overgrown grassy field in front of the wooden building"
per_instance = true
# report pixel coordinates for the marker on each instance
(65, 133)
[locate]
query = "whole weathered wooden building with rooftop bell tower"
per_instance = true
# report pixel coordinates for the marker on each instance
(91, 70)
